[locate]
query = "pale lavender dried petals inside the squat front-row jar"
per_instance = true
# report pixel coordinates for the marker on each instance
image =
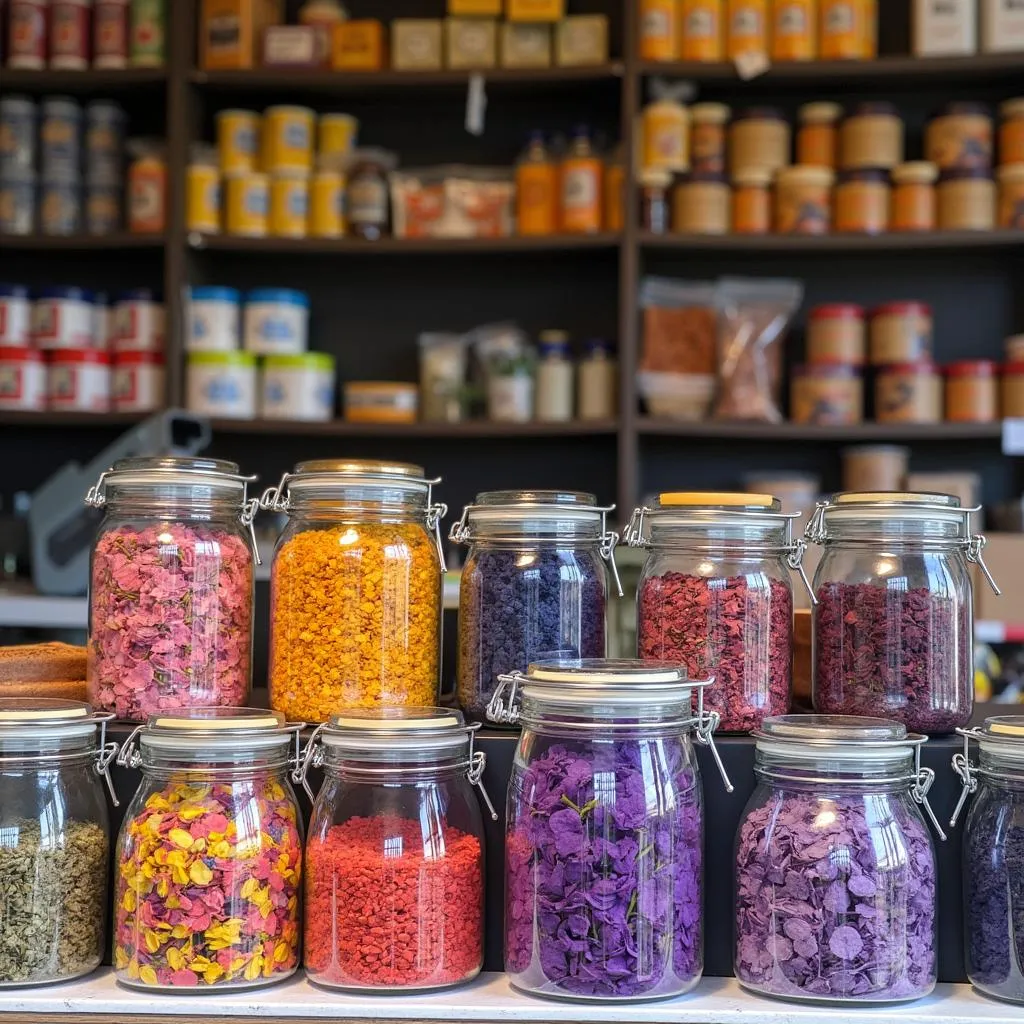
(836, 899)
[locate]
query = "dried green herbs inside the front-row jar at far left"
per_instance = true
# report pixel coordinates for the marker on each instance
(53, 901)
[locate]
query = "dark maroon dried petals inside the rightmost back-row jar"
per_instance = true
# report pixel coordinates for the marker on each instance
(905, 655)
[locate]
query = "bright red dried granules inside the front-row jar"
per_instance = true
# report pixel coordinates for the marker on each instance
(382, 914)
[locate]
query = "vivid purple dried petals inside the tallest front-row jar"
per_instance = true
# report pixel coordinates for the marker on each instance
(604, 871)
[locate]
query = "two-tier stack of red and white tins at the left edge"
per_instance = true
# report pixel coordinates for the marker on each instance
(58, 349)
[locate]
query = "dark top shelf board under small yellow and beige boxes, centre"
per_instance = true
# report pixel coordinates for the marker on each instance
(335, 82)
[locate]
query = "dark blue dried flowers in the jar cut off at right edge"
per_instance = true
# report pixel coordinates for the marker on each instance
(994, 892)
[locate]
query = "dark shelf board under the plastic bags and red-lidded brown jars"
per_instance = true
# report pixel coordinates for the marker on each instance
(774, 433)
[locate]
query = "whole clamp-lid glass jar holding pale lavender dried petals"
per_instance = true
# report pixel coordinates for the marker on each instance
(836, 872)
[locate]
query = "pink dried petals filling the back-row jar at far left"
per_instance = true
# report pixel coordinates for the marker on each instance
(170, 620)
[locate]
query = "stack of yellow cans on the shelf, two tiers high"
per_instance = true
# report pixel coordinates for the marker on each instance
(268, 179)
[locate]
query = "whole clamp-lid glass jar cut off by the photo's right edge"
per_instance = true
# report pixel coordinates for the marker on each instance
(994, 856)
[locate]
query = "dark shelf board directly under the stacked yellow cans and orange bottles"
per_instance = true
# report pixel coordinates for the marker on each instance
(515, 244)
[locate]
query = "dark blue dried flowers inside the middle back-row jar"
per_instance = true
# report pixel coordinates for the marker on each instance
(522, 606)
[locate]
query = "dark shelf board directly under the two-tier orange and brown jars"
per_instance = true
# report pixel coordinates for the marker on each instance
(905, 241)
